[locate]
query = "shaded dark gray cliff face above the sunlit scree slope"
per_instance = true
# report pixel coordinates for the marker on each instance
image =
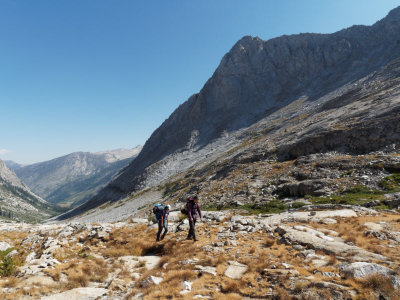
(256, 79)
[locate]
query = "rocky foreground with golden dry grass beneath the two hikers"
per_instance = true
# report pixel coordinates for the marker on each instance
(320, 252)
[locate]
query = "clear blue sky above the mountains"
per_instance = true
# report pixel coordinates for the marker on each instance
(97, 75)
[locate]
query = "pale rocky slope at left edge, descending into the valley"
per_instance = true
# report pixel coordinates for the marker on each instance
(17, 202)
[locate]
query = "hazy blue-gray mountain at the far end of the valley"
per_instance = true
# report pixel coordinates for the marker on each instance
(74, 178)
